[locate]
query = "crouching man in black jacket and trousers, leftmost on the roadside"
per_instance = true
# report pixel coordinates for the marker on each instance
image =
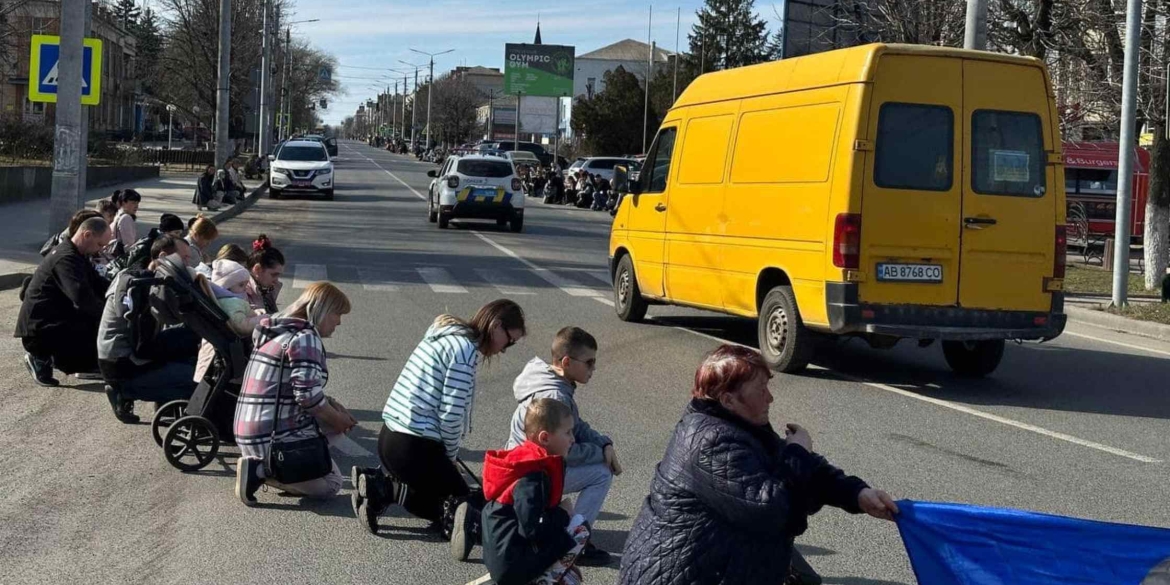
(63, 306)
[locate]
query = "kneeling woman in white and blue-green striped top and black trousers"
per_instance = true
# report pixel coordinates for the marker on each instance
(428, 415)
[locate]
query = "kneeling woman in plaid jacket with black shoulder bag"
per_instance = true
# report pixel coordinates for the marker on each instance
(284, 403)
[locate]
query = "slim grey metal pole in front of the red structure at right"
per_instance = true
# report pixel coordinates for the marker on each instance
(1126, 156)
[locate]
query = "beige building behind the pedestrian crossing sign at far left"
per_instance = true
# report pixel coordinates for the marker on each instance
(121, 112)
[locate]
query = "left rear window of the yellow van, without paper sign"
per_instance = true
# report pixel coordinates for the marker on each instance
(916, 148)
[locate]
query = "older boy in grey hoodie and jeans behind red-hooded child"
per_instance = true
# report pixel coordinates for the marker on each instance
(593, 462)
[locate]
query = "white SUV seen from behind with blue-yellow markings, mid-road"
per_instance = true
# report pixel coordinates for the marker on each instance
(477, 187)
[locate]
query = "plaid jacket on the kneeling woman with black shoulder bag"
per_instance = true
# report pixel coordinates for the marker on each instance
(302, 387)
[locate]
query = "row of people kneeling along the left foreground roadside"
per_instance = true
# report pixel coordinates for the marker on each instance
(726, 503)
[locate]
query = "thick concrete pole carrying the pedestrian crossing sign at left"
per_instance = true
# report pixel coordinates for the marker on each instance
(67, 194)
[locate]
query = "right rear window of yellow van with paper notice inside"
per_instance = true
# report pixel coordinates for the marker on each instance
(1008, 154)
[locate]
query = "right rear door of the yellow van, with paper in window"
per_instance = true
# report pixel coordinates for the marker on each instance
(1009, 189)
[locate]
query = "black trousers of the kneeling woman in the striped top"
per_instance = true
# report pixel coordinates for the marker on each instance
(424, 467)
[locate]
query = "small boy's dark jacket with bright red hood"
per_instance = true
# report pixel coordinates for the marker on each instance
(524, 526)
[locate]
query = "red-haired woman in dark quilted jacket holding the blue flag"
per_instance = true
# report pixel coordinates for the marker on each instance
(731, 494)
